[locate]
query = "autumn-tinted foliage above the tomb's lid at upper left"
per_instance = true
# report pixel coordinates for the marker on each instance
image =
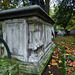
(7, 4)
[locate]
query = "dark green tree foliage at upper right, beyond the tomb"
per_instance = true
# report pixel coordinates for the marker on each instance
(64, 13)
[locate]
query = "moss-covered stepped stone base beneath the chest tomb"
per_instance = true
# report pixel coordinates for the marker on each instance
(36, 68)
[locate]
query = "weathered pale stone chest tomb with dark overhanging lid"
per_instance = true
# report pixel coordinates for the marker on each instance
(27, 32)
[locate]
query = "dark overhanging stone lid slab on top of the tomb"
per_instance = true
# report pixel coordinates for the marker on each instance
(27, 11)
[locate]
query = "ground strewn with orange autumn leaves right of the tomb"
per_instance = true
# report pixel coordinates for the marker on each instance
(63, 58)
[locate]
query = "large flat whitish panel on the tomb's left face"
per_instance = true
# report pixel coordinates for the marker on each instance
(15, 34)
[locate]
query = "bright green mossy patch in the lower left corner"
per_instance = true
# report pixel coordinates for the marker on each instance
(8, 67)
